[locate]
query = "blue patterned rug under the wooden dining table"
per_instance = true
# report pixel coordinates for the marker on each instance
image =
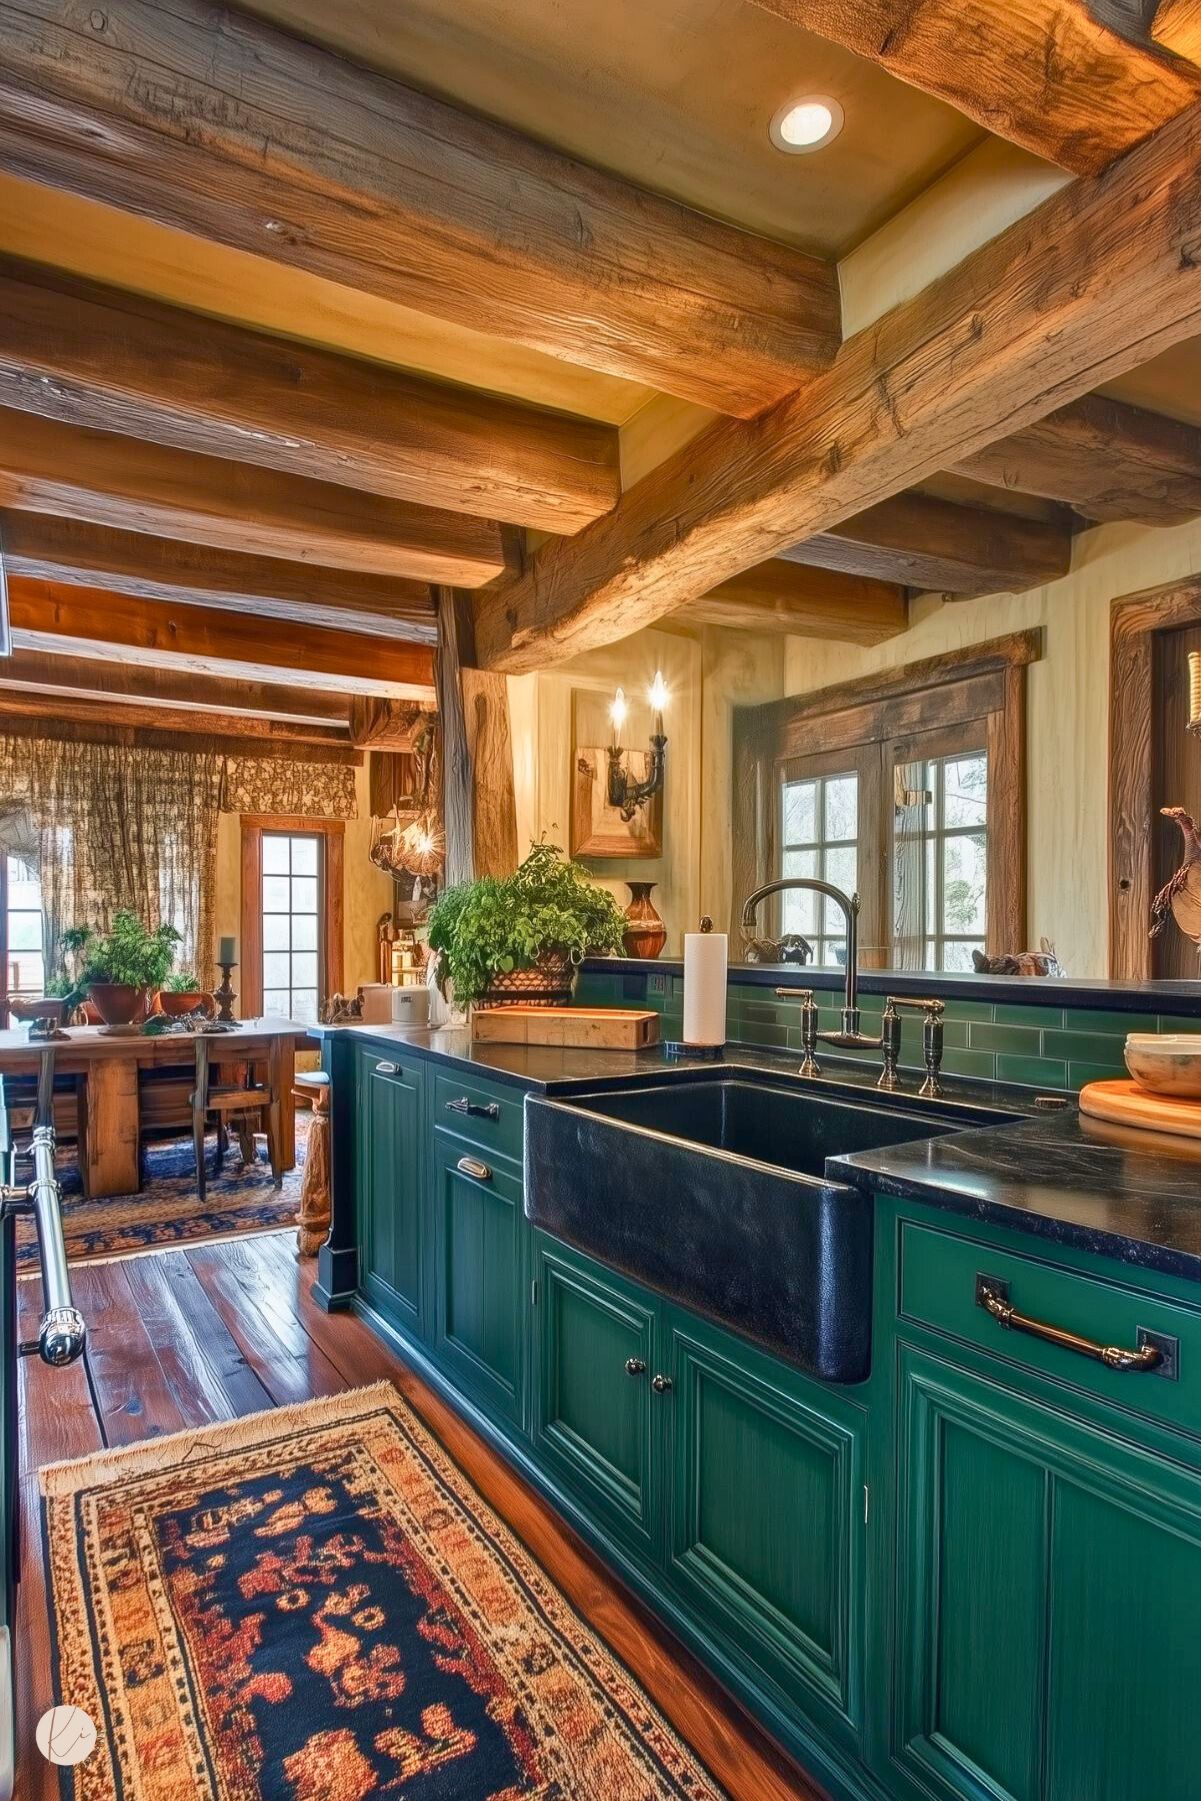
(168, 1209)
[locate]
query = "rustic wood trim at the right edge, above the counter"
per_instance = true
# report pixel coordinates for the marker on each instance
(1133, 626)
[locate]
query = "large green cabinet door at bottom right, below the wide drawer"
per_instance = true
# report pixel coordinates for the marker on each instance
(1049, 1629)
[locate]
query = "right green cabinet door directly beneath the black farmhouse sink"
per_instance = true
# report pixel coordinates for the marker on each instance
(768, 1514)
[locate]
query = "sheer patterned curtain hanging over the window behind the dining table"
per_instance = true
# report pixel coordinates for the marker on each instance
(122, 828)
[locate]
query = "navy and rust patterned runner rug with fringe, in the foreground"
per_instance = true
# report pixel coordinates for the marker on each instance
(316, 1606)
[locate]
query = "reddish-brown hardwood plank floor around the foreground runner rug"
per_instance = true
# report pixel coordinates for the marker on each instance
(204, 1334)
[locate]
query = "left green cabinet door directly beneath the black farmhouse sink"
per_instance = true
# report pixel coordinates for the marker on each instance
(597, 1415)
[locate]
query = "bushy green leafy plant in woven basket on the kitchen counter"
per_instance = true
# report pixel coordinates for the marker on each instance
(489, 928)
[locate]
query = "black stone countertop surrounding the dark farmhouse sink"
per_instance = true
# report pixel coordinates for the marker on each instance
(1067, 1179)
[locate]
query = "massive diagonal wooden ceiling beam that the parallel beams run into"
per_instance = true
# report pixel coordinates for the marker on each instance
(1101, 278)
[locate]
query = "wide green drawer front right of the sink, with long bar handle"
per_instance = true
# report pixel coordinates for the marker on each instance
(939, 1280)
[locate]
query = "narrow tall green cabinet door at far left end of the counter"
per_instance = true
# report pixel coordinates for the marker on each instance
(390, 1177)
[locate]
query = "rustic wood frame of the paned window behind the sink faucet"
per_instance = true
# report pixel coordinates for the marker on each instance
(980, 685)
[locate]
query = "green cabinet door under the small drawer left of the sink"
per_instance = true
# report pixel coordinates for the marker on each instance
(482, 1296)
